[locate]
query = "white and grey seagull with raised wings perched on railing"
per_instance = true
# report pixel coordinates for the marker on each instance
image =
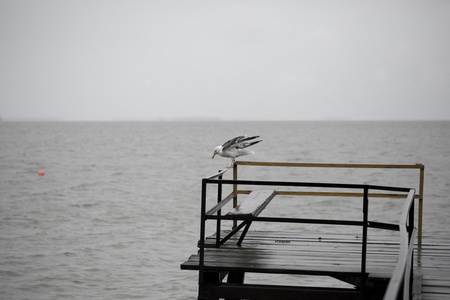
(236, 147)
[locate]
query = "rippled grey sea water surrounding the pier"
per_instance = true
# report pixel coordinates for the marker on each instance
(117, 210)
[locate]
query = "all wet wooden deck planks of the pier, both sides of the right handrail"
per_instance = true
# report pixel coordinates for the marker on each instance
(334, 255)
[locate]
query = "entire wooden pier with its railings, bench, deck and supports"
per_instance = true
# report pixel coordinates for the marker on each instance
(375, 265)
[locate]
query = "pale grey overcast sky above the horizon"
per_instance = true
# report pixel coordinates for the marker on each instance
(234, 60)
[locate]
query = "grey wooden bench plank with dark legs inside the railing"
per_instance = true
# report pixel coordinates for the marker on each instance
(249, 208)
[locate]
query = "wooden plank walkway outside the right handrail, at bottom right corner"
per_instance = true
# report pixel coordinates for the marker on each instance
(433, 264)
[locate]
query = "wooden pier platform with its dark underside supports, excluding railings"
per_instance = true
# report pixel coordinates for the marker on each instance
(337, 256)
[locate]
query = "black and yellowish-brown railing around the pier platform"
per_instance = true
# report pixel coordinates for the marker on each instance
(401, 282)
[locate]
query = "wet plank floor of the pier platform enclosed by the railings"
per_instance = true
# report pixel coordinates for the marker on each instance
(337, 256)
